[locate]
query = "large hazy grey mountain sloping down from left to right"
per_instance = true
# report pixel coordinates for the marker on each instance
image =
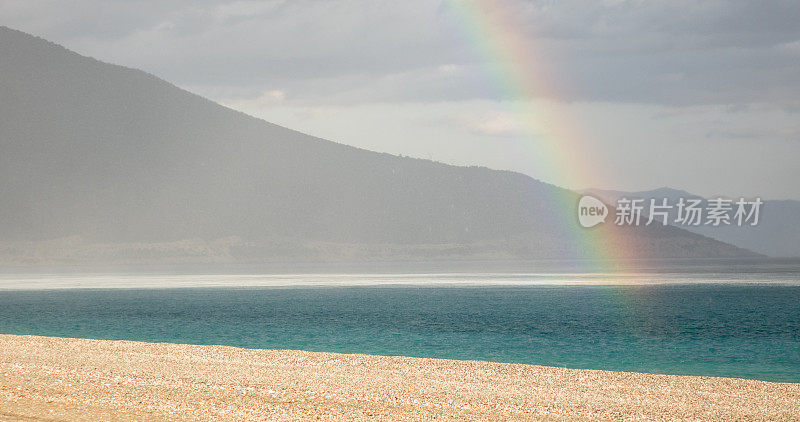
(100, 162)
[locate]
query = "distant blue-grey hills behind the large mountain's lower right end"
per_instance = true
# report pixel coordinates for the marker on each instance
(777, 233)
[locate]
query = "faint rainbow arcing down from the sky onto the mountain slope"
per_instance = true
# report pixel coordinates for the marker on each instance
(556, 144)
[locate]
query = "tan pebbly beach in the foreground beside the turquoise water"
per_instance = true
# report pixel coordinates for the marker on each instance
(44, 378)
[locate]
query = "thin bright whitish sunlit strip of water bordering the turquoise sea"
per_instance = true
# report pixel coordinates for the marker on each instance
(162, 281)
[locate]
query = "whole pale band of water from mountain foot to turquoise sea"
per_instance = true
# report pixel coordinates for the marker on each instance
(440, 274)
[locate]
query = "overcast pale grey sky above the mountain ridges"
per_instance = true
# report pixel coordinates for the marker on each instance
(702, 96)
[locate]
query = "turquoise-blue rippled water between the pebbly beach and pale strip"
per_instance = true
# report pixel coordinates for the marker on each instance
(735, 330)
